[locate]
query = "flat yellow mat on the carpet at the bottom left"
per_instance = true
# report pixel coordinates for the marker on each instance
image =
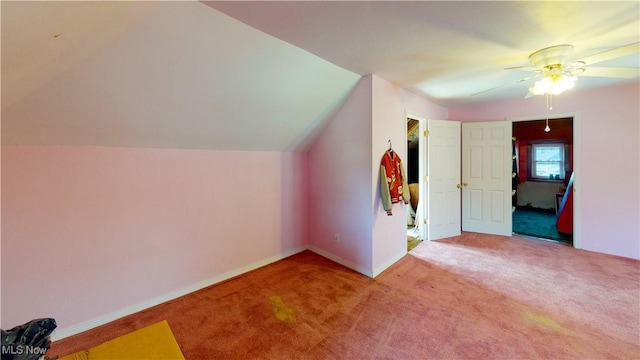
(152, 342)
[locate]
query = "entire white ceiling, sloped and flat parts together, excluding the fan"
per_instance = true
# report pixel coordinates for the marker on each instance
(189, 75)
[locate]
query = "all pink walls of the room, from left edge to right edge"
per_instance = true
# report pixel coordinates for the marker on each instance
(83, 223)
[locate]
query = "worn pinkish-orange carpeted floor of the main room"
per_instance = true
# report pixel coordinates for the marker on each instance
(470, 297)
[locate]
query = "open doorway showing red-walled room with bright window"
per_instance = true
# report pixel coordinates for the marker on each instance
(543, 178)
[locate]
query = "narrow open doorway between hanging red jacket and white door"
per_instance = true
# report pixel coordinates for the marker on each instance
(413, 179)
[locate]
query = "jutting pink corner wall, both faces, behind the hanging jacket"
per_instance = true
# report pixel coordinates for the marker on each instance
(344, 177)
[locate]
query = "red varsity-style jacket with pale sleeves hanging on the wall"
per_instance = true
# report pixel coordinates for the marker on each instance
(393, 181)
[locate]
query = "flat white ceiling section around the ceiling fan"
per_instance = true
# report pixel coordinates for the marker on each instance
(448, 51)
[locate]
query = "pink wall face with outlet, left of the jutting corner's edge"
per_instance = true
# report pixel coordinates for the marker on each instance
(340, 183)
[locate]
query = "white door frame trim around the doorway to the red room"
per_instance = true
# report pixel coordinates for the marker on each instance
(576, 165)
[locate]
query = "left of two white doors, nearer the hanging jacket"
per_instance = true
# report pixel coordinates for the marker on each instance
(443, 179)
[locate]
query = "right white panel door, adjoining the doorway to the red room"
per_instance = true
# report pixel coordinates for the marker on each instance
(486, 177)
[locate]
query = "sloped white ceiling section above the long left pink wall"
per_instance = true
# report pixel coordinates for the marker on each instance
(157, 74)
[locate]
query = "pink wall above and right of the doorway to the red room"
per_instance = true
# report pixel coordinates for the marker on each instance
(609, 161)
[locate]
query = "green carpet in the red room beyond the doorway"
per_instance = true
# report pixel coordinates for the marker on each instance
(539, 223)
